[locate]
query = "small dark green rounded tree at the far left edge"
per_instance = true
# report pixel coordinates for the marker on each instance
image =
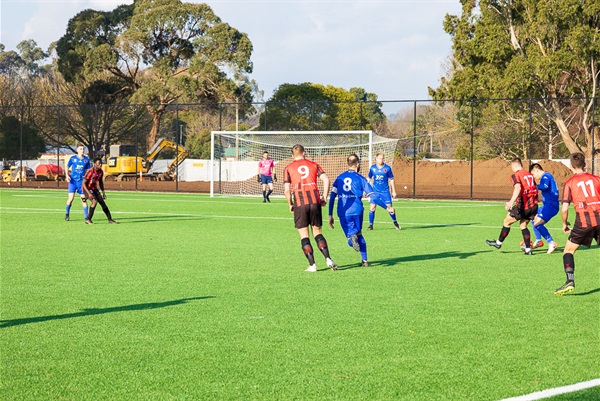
(11, 140)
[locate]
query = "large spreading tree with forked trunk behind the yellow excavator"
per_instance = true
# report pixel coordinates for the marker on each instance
(189, 54)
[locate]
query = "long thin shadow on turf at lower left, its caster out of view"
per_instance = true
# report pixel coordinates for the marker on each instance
(99, 311)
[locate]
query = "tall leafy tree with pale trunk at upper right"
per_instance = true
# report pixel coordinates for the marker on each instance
(540, 49)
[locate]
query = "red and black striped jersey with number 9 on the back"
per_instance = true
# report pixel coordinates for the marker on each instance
(302, 176)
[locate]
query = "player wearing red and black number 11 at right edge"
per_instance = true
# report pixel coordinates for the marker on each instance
(583, 191)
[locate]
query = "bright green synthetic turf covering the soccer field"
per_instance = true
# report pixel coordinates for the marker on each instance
(193, 298)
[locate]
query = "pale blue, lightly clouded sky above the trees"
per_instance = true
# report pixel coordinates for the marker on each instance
(394, 48)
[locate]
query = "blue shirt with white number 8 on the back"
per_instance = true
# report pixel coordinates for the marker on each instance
(349, 187)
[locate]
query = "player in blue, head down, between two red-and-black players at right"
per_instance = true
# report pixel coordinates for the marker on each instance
(549, 189)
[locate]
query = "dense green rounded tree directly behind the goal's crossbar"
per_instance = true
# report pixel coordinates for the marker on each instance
(309, 106)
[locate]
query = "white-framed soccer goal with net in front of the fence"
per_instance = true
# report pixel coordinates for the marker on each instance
(235, 154)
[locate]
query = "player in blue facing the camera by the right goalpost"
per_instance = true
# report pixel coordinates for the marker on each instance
(382, 179)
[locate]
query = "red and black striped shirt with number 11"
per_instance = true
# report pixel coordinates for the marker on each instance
(583, 191)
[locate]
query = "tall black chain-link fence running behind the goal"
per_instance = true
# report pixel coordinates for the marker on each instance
(445, 149)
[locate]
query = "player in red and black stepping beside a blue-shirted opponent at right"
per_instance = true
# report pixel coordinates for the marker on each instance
(521, 207)
